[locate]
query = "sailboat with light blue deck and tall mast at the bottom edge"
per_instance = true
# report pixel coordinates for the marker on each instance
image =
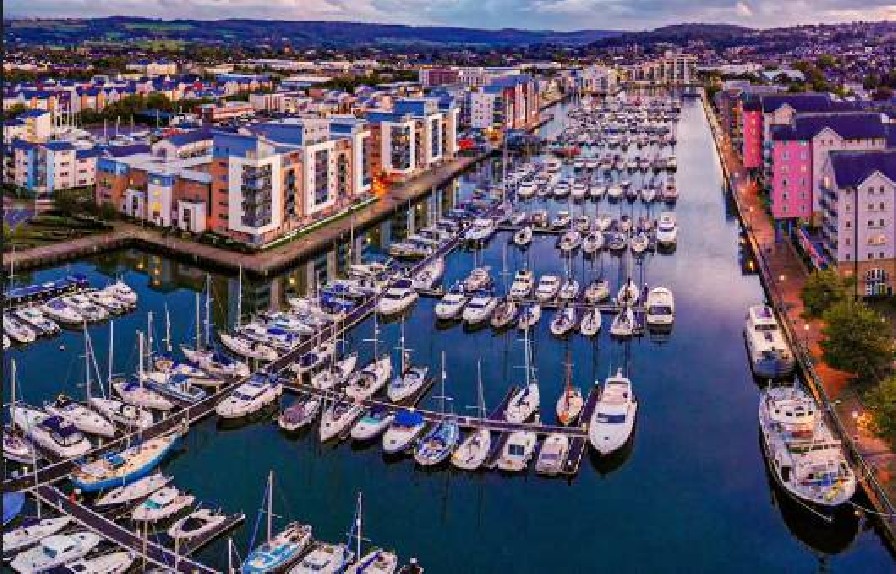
(279, 550)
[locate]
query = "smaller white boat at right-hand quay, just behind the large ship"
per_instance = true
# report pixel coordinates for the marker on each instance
(770, 355)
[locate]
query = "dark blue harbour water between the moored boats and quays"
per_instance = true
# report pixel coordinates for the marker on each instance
(691, 494)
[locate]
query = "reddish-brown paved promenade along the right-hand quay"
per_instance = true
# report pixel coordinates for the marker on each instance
(784, 273)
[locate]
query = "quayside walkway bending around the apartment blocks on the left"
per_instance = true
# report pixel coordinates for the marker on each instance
(262, 263)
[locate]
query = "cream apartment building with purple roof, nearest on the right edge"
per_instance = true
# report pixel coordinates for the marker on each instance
(859, 217)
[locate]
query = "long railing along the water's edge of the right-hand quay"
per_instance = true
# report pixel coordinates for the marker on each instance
(865, 472)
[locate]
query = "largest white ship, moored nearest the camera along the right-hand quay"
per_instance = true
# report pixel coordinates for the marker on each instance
(805, 458)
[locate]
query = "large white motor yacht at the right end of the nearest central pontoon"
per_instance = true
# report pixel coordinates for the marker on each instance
(613, 419)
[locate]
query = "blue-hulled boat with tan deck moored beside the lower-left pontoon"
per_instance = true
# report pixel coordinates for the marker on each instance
(124, 467)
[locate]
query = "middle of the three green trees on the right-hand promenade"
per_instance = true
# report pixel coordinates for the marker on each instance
(856, 339)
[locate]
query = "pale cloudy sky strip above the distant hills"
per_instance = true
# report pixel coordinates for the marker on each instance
(531, 14)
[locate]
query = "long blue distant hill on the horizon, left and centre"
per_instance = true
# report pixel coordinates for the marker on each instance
(275, 32)
